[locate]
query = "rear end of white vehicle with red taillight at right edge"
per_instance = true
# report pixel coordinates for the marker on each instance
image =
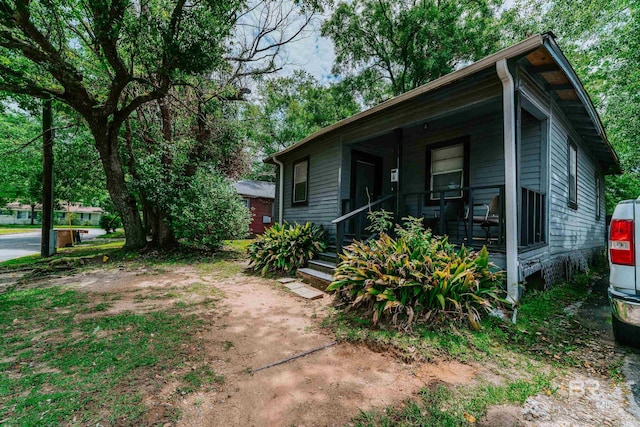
(624, 278)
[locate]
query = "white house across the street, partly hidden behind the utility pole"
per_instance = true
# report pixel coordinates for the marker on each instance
(20, 214)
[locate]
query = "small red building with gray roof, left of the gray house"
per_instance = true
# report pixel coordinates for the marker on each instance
(258, 196)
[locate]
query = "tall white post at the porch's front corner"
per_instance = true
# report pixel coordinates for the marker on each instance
(510, 175)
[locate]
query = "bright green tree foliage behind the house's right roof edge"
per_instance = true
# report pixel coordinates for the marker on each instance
(602, 40)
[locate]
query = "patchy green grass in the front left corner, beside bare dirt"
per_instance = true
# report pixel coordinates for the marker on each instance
(60, 363)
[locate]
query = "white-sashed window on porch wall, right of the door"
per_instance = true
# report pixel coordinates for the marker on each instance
(447, 171)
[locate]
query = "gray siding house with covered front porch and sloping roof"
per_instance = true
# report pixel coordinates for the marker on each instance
(508, 152)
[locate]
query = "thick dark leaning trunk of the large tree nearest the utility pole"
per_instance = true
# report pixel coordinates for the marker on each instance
(122, 199)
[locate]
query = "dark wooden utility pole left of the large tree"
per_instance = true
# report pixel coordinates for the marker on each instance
(47, 248)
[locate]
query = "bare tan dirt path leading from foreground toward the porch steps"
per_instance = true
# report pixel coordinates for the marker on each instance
(266, 324)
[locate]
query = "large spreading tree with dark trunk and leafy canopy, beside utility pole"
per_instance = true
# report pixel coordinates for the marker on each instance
(107, 58)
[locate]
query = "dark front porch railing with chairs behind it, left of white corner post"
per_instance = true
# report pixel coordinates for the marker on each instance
(476, 218)
